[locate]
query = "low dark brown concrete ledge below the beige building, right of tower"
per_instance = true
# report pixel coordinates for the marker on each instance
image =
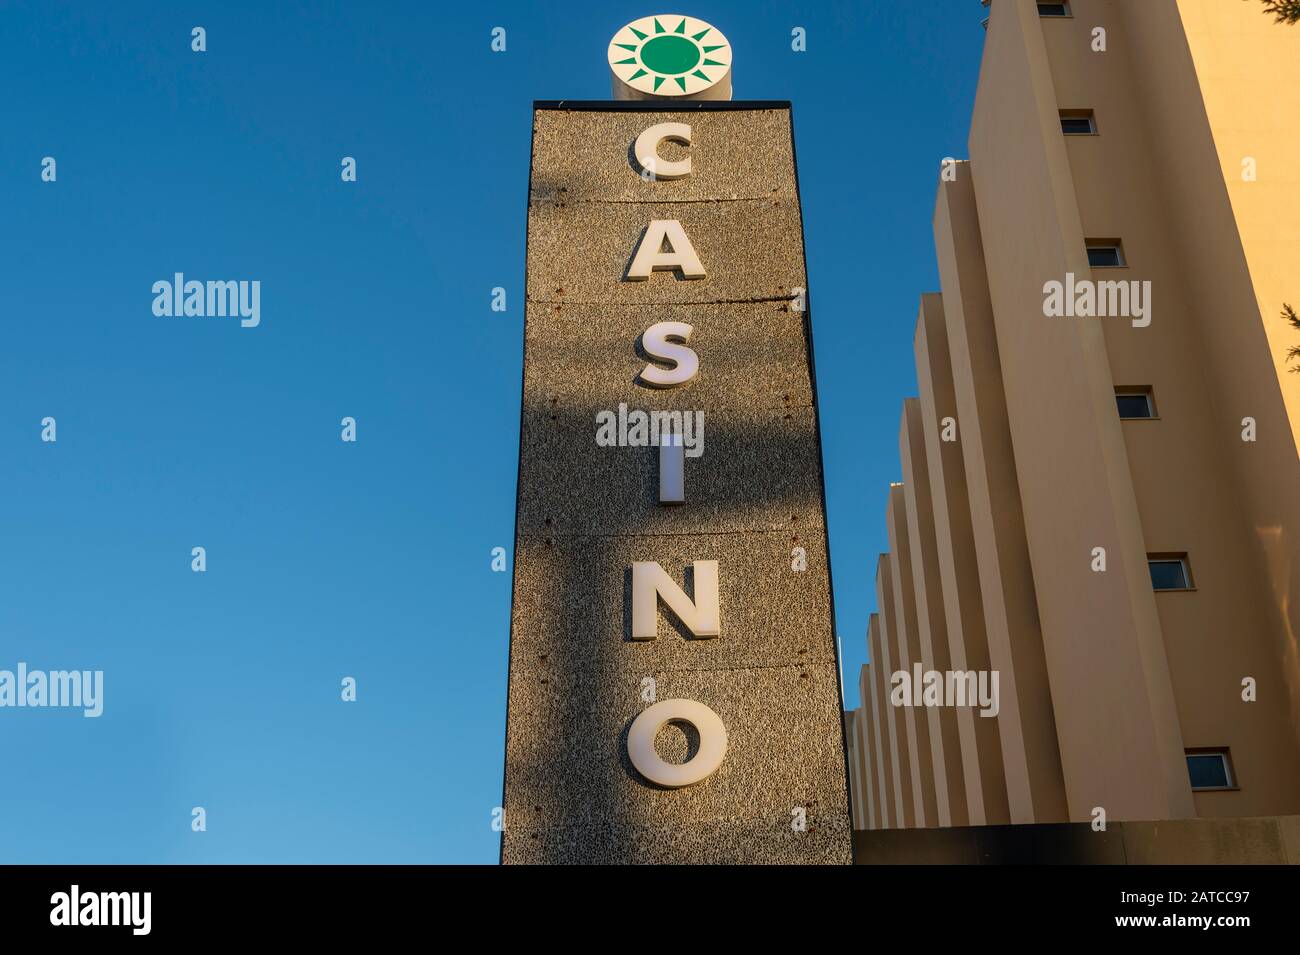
(1263, 841)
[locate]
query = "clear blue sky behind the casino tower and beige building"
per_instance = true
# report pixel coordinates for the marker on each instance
(371, 559)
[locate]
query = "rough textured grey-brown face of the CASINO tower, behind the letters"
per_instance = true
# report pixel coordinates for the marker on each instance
(588, 513)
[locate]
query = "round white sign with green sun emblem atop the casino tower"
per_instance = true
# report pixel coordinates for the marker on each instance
(670, 58)
